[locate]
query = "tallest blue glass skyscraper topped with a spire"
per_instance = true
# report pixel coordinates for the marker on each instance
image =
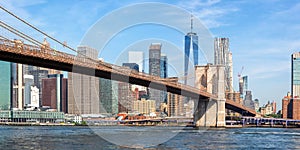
(190, 44)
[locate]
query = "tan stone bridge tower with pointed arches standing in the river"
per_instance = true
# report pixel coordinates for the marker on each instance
(210, 112)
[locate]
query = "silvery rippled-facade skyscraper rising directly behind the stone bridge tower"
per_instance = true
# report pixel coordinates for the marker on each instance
(224, 57)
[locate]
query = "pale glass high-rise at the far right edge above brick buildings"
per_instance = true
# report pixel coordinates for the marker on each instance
(296, 74)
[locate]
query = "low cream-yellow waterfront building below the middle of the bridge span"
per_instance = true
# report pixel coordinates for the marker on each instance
(144, 106)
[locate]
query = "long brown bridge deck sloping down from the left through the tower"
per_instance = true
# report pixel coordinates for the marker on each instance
(14, 51)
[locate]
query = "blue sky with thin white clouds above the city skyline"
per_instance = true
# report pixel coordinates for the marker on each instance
(262, 34)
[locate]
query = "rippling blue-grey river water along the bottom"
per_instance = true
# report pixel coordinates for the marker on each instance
(65, 137)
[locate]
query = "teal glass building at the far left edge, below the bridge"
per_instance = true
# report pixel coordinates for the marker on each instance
(5, 85)
